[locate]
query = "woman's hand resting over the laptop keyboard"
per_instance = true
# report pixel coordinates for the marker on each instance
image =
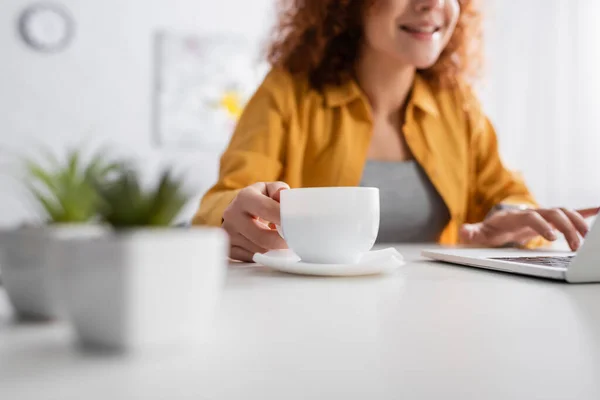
(511, 226)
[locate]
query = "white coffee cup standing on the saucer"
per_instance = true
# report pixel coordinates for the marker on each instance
(330, 225)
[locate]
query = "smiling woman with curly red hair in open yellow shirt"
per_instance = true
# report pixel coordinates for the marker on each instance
(375, 93)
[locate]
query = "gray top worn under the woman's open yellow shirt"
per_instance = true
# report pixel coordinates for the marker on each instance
(411, 208)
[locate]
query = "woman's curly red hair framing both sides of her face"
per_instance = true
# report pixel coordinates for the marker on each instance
(320, 38)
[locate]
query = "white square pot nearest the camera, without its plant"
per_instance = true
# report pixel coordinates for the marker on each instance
(144, 288)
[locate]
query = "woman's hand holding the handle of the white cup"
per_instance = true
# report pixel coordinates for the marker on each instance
(247, 220)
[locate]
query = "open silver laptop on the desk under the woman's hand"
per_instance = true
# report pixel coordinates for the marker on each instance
(580, 267)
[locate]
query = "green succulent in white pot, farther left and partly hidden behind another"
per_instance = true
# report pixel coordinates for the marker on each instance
(66, 195)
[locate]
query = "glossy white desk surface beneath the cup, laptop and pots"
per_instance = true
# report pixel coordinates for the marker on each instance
(430, 331)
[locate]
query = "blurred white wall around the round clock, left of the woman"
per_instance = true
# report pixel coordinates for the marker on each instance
(100, 88)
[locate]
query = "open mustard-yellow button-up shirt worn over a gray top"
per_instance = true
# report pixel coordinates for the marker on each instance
(290, 132)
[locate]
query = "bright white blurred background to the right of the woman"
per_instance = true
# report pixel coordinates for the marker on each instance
(542, 91)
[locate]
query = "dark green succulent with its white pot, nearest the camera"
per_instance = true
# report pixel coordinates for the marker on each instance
(146, 282)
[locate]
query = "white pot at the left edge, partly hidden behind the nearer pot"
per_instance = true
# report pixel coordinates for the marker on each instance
(30, 277)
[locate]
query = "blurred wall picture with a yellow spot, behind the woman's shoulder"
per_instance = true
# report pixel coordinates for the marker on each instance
(202, 84)
